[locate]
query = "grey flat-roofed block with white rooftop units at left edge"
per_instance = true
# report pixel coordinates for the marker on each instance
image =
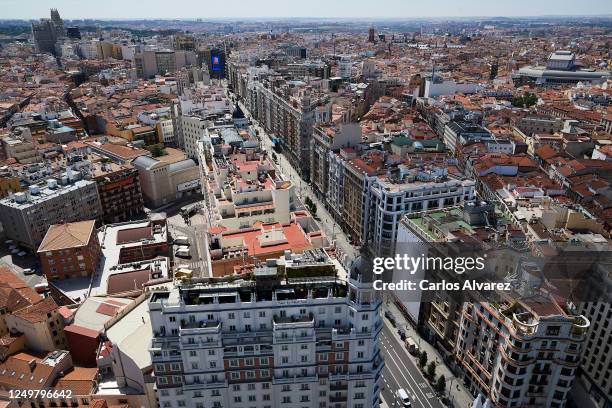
(26, 216)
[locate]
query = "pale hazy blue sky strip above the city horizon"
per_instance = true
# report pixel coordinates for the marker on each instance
(105, 9)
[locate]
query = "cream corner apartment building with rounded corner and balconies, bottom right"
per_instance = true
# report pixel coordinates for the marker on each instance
(521, 352)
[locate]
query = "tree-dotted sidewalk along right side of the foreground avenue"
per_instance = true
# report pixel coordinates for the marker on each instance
(460, 397)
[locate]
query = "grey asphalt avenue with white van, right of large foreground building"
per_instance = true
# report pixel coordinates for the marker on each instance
(402, 372)
